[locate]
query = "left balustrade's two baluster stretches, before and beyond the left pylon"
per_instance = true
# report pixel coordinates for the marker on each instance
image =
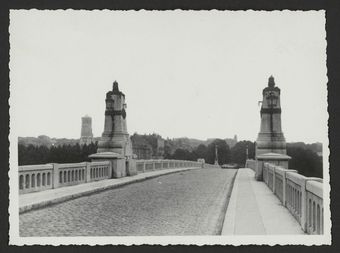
(42, 177)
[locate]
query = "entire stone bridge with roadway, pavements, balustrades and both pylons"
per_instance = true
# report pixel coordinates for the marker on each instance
(116, 194)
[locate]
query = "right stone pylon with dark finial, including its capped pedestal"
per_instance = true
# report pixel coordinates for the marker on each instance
(270, 143)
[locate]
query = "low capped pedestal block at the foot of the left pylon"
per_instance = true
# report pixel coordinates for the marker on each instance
(118, 165)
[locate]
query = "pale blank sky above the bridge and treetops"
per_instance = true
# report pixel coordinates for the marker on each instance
(196, 74)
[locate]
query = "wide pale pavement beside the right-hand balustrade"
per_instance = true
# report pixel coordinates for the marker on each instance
(254, 210)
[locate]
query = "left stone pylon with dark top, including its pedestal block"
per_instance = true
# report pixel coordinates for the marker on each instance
(115, 144)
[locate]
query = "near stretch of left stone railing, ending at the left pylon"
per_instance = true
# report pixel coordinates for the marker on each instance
(42, 177)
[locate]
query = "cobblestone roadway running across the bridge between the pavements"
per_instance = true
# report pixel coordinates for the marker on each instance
(185, 203)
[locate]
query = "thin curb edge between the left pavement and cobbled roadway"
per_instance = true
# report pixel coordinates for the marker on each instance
(55, 201)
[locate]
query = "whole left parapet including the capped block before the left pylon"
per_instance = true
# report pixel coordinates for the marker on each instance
(34, 178)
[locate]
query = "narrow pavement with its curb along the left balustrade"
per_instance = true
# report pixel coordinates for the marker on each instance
(41, 199)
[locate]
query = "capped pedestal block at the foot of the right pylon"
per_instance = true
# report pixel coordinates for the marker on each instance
(273, 158)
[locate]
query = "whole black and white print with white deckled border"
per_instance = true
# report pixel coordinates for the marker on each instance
(168, 127)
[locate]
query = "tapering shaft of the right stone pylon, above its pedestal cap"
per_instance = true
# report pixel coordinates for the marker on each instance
(270, 138)
